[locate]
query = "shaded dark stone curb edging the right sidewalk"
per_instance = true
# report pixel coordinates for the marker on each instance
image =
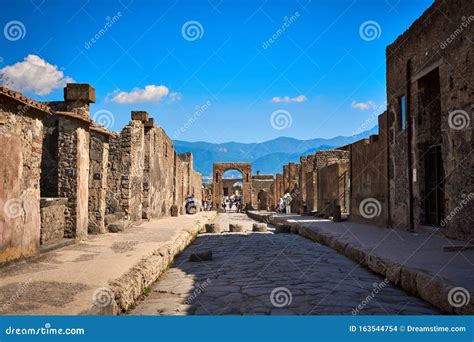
(411, 280)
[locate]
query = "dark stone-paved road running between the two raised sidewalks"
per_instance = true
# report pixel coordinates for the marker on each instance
(266, 273)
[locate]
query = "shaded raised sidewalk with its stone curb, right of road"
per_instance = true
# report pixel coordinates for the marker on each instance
(414, 262)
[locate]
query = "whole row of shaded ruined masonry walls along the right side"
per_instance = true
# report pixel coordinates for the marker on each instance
(417, 174)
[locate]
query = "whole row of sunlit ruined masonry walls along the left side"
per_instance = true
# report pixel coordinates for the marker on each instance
(65, 176)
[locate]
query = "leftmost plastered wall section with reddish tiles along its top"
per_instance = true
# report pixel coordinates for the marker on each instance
(21, 135)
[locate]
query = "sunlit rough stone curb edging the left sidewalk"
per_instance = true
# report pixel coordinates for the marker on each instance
(131, 285)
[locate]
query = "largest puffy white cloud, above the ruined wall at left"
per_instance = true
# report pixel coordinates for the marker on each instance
(36, 75)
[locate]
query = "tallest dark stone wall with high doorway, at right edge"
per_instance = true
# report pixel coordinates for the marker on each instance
(432, 67)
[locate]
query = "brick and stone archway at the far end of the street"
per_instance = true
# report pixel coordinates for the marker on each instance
(217, 191)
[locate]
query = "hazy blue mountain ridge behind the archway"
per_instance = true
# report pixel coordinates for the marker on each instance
(267, 157)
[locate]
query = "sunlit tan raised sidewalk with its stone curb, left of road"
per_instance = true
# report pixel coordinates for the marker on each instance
(103, 275)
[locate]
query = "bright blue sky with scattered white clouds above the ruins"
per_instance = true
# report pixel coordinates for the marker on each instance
(321, 76)
